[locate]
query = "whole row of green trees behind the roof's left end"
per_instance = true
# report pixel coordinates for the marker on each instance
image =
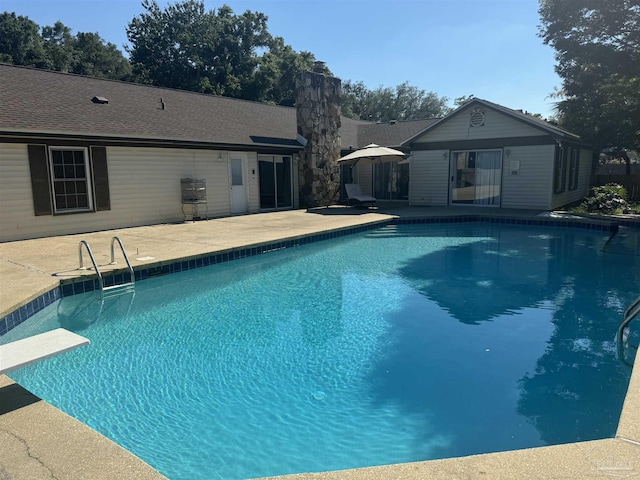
(55, 48)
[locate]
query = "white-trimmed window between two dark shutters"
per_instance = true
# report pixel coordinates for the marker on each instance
(70, 179)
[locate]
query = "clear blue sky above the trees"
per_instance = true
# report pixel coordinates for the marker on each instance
(488, 48)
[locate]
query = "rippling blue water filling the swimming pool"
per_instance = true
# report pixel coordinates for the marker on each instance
(400, 344)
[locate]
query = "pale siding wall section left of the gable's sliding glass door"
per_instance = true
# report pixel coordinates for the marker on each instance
(429, 177)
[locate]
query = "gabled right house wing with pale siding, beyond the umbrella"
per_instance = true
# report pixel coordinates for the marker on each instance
(482, 154)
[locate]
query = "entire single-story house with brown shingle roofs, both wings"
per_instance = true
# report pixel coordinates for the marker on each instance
(81, 154)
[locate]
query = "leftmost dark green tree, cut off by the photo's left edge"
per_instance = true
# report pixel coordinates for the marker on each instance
(20, 41)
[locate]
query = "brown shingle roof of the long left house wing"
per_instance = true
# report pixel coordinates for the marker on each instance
(39, 101)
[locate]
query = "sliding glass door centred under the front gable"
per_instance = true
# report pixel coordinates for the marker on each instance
(476, 177)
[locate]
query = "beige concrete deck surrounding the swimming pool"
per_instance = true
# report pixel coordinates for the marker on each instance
(39, 441)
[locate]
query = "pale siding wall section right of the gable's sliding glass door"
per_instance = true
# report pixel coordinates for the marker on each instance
(532, 186)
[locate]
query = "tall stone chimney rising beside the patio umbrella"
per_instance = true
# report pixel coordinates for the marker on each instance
(318, 116)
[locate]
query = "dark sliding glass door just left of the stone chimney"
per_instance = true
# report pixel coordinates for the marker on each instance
(276, 190)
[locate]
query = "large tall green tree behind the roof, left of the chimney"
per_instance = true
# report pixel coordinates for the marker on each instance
(187, 47)
